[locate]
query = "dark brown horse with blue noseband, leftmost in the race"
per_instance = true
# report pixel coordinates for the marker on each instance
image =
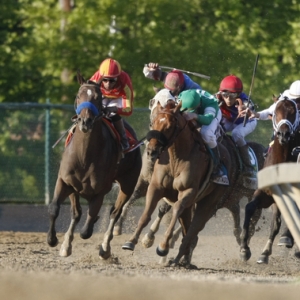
(90, 164)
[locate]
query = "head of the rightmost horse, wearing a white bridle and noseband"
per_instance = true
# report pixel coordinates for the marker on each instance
(285, 120)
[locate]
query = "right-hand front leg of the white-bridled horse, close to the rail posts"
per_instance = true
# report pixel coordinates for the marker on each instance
(275, 227)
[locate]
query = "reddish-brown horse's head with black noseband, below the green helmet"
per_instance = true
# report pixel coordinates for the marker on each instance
(167, 123)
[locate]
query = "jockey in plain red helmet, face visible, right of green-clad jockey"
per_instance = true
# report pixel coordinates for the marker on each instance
(232, 102)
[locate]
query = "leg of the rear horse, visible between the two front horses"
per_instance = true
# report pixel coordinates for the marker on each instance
(139, 191)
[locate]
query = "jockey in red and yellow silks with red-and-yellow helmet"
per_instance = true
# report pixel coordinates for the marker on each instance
(117, 91)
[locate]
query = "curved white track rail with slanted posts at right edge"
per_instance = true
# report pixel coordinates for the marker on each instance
(284, 182)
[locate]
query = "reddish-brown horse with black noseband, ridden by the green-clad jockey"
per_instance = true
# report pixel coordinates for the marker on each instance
(181, 174)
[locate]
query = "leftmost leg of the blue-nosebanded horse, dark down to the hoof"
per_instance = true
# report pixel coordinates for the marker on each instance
(61, 192)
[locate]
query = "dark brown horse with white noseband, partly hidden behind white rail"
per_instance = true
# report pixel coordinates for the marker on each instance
(287, 137)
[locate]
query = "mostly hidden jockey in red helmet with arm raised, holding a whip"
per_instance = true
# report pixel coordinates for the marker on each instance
(175, 81)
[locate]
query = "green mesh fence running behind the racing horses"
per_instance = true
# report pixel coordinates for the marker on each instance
(29, 164)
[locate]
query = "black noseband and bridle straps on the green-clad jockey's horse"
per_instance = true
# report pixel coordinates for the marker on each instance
(161, 138)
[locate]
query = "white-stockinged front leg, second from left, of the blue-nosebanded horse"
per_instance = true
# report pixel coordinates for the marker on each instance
(76, 212)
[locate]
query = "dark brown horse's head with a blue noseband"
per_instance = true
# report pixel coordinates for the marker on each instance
(88, 104)
